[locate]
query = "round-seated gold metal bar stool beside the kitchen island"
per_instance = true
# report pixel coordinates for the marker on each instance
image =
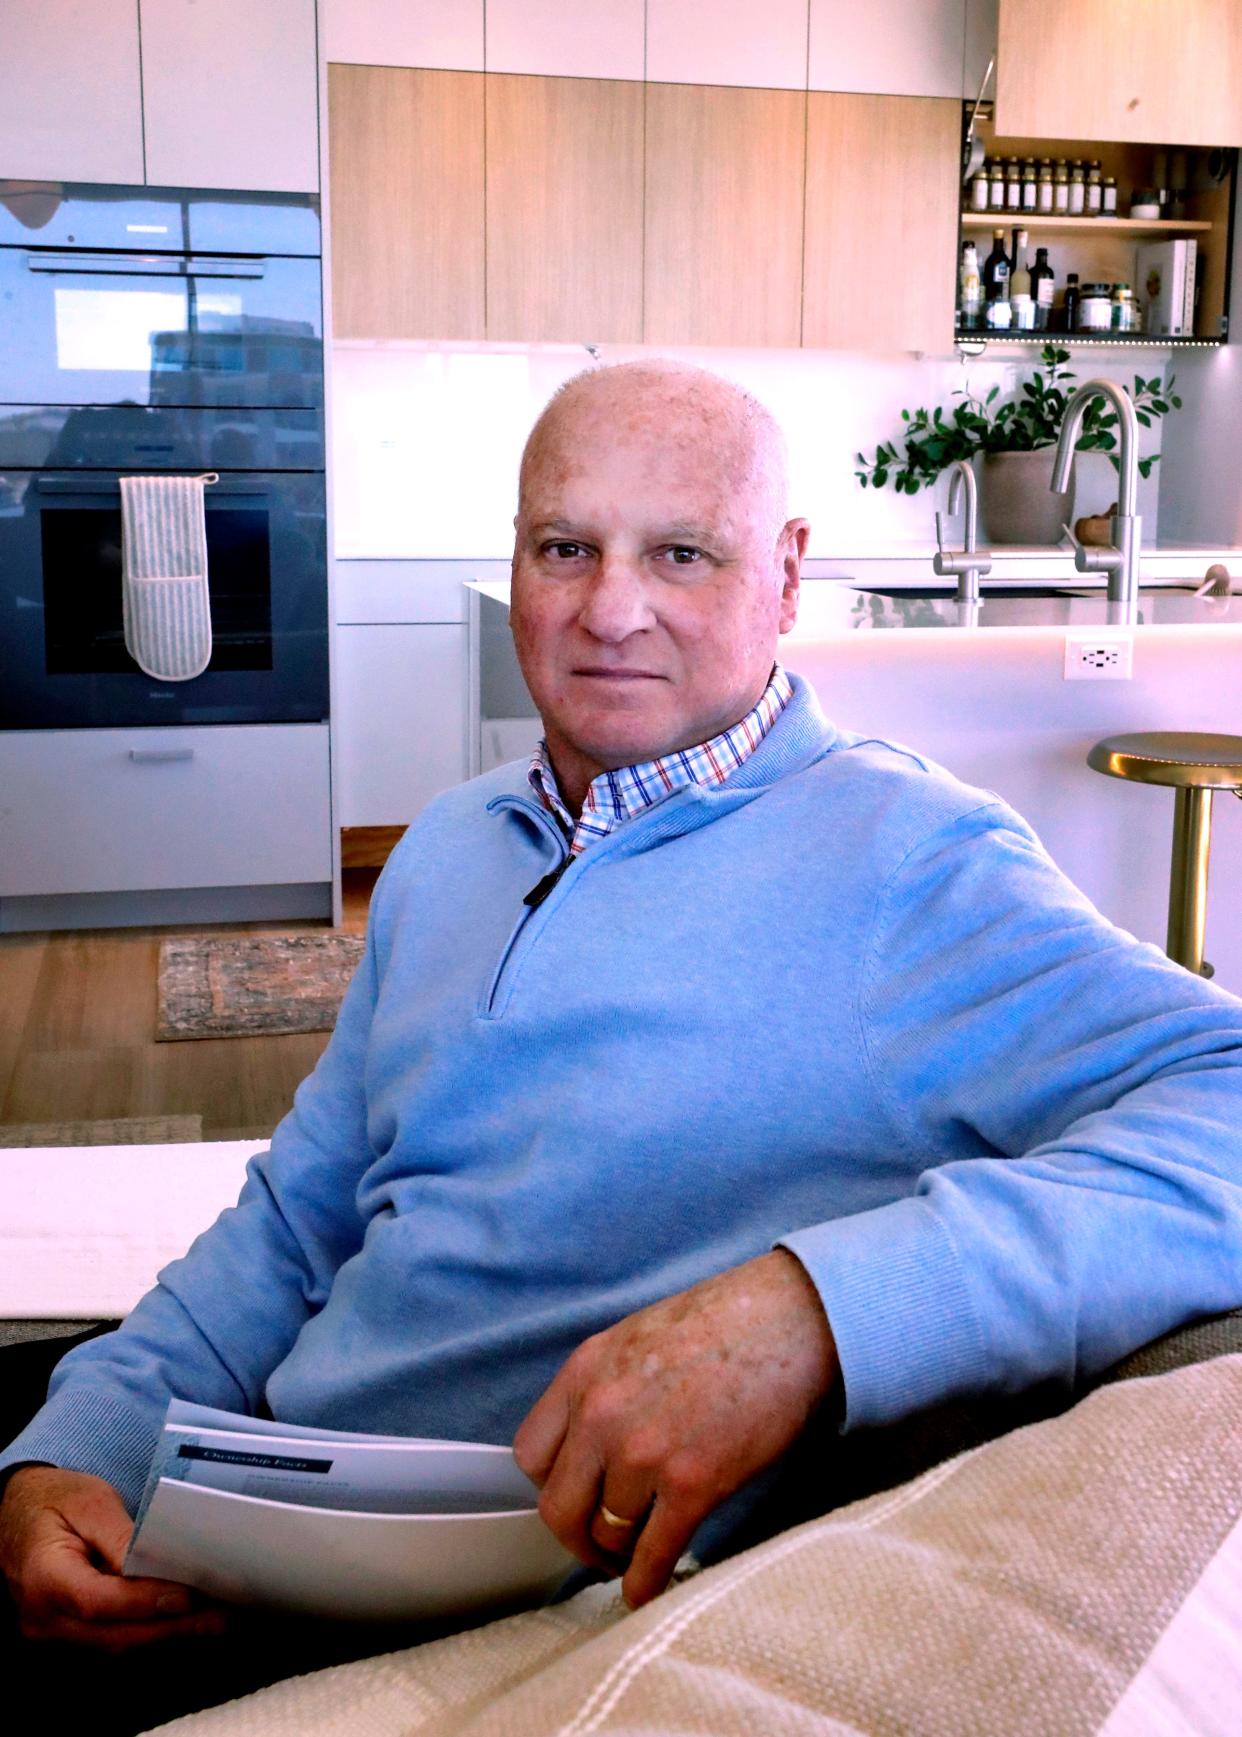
(1196, 767)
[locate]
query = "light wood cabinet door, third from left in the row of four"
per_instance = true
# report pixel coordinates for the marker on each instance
(723, 220)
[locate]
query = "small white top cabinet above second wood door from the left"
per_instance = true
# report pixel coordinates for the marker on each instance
(565, 39)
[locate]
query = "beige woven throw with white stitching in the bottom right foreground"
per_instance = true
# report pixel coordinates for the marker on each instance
(1076, 1576)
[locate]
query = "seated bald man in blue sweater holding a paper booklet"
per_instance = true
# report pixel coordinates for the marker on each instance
(715, 1083)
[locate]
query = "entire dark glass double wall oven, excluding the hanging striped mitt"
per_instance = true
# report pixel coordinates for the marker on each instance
(145, 333)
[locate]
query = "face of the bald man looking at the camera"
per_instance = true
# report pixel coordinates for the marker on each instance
(651, 586)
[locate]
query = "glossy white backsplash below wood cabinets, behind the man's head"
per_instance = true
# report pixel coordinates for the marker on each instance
(426, 437)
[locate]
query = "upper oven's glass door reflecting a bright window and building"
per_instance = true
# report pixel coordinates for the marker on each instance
(107, 329)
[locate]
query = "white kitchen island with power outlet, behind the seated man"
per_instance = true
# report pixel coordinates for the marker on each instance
(988, 697)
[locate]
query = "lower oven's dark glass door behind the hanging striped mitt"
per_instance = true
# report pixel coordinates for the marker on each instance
(63, 661)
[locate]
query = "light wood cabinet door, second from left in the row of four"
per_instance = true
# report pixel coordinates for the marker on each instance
(565, 209)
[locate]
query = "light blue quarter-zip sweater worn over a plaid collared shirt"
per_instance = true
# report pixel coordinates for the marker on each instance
(842, 1003)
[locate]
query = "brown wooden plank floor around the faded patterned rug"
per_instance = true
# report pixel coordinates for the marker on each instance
(77, 1034)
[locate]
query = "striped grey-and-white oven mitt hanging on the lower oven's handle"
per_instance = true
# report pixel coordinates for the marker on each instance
(166, 609)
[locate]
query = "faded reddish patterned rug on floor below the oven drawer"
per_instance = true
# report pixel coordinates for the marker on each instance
(253, 986)
